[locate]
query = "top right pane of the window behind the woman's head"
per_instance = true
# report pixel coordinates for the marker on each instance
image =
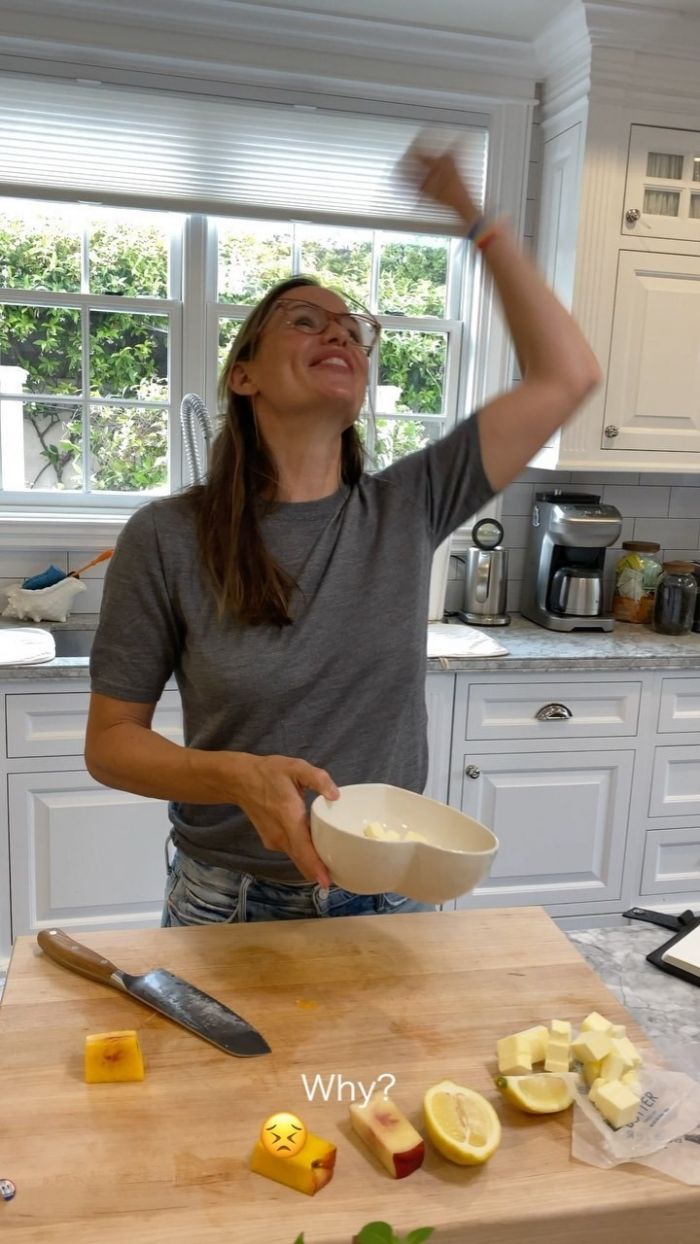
(413, 276)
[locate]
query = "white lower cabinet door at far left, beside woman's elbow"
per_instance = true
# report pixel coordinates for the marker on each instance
(84, 856)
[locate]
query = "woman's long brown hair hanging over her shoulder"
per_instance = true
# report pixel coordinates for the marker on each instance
(249, 585)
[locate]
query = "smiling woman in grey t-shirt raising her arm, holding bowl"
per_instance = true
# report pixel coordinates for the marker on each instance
(289, 595)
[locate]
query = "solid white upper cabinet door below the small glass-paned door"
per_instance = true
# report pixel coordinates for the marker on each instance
(653, 391)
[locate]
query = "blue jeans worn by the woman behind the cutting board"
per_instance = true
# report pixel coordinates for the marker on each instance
(202, 894)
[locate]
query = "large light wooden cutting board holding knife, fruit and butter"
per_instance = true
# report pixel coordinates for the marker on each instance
(421, 998)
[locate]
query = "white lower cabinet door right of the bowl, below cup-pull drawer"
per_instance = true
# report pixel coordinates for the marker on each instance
(560, 820)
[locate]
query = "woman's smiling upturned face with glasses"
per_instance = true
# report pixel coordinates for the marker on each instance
(305, 373)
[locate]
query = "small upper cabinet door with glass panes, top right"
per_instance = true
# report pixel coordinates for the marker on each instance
(663, 185)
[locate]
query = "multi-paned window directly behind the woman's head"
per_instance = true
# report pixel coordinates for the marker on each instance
(413, 283)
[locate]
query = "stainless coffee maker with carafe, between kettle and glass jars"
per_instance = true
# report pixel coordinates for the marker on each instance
(563, 580)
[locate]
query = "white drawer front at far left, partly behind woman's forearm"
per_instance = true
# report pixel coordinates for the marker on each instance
(53, 723)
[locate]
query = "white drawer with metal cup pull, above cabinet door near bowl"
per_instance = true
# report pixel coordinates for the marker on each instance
(509, 711)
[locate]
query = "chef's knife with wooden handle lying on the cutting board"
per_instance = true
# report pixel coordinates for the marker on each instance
(163, 992)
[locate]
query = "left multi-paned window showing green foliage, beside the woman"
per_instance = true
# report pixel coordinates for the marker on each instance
(90, 318)
